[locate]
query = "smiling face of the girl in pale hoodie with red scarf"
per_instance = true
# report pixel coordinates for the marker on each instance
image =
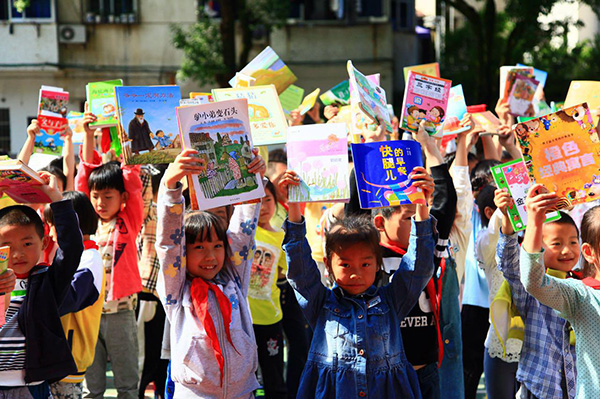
(205, 259)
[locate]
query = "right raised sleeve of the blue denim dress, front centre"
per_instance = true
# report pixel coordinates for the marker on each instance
(415, 270)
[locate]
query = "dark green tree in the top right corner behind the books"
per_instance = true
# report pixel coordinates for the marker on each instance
(473, 53)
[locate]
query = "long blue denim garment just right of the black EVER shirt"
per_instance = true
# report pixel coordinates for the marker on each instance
(451, 370)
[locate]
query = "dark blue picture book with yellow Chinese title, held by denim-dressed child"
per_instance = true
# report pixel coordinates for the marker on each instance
(382, 170)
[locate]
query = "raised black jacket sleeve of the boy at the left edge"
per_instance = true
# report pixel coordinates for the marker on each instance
(70, 247)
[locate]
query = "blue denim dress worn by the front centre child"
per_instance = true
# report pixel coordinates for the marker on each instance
(357, 348)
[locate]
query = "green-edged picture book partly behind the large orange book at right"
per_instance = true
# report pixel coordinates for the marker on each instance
(514, 177)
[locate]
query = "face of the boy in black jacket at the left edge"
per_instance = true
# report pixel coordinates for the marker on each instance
(26, 247)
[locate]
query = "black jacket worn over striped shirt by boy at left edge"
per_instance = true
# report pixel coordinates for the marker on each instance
(47, 353)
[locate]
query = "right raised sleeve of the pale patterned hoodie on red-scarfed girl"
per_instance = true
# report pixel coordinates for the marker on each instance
(241, 232)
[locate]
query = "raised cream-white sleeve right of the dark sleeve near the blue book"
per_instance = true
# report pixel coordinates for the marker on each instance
(462, 228)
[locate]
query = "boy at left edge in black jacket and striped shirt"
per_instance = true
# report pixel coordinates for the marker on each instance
(34, 347)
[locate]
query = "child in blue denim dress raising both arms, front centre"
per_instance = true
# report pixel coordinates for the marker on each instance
(357, 345)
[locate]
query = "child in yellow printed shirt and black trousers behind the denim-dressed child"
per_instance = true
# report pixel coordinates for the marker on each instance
(264, 297)
